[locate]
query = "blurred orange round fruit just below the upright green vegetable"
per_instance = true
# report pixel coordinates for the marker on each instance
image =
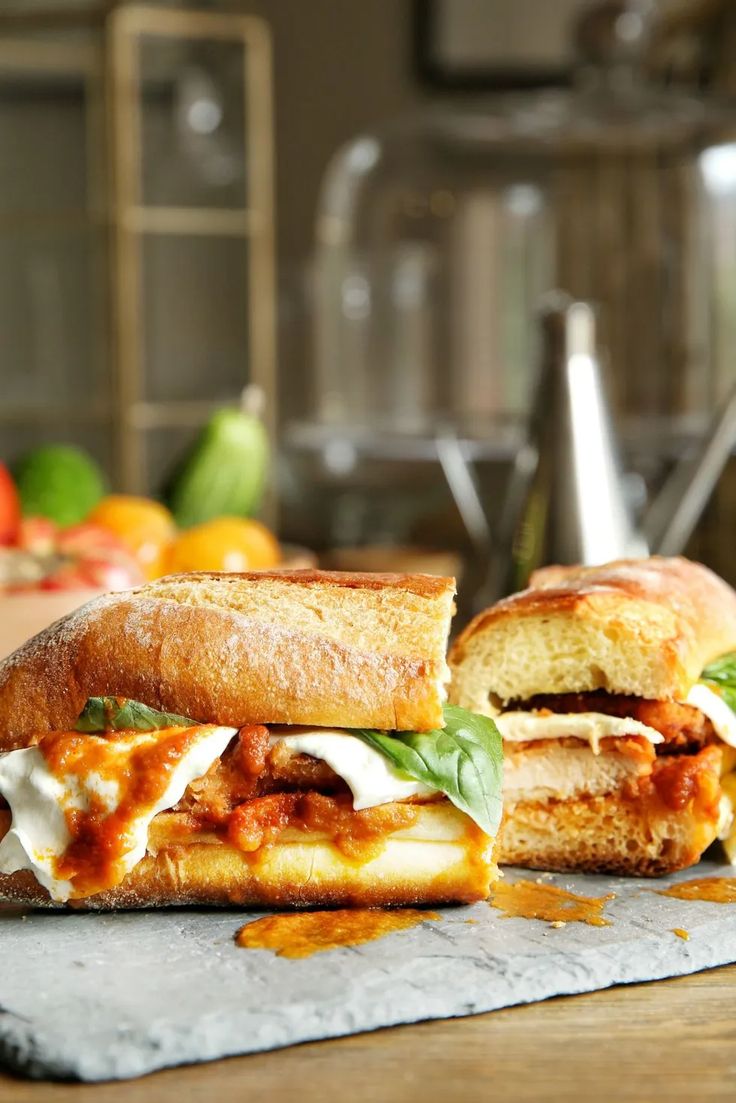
(225, 544)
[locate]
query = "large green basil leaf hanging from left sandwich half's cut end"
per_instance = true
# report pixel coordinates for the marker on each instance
(464, 761)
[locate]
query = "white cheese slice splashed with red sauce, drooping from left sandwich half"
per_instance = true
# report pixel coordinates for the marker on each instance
(82, 806)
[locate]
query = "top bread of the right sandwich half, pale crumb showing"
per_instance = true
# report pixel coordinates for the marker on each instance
(639, 627)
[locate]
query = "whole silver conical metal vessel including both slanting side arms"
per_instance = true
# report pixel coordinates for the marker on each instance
(567, 500)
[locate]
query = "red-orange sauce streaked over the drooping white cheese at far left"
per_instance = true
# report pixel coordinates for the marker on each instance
(101, 837)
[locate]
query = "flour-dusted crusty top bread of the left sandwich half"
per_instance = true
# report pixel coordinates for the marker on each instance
(306, 647)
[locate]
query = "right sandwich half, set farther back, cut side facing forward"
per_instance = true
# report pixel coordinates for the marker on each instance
(615, 691)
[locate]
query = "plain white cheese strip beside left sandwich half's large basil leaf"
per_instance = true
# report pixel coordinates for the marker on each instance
(368, 774)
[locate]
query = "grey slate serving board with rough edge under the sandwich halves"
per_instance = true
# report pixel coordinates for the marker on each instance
(111, 997)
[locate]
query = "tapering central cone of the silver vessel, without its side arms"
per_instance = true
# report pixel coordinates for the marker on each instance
(568, 485)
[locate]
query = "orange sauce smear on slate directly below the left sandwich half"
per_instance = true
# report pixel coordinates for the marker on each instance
(301, 935)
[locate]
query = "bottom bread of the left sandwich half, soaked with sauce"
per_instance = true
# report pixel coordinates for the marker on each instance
(443, 858)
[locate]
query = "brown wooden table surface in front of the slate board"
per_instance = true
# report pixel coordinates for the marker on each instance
(675, 1041)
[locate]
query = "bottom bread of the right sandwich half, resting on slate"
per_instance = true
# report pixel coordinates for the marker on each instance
(611, 834)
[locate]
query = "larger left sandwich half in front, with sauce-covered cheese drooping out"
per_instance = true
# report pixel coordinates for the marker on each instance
(275, 738)
